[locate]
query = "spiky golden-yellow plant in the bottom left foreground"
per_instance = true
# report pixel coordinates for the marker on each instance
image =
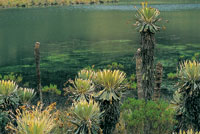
(35, 120)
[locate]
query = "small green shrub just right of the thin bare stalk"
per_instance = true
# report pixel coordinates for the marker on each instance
(51, 89)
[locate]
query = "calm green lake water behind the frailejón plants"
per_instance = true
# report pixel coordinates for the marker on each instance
(78, 36)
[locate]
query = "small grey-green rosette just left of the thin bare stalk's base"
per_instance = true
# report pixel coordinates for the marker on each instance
(26, 95)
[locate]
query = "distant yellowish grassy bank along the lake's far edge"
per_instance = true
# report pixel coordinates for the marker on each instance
(44, 3)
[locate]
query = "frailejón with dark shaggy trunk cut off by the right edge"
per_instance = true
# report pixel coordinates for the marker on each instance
(189, 90)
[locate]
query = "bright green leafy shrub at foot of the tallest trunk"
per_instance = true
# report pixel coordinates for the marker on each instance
(158, 116)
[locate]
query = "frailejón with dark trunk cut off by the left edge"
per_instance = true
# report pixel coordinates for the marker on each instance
(9, 102)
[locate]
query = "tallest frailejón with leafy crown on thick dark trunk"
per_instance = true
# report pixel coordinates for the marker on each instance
(146, 23)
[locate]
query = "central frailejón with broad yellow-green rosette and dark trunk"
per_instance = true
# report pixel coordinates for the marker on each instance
(109, 97)
